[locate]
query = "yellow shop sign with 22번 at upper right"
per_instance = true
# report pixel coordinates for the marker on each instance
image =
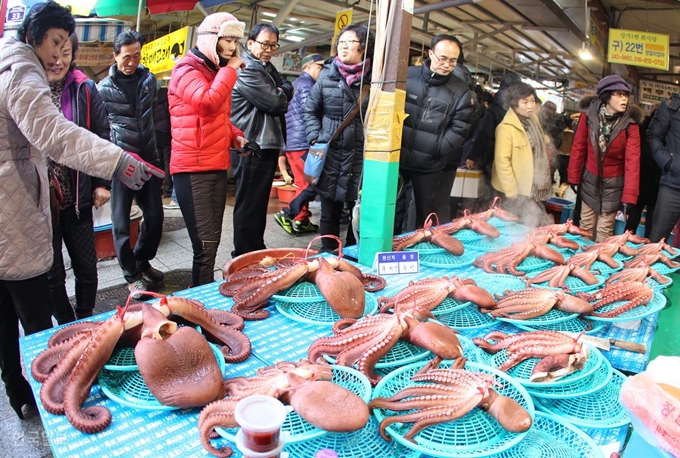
(642, 49)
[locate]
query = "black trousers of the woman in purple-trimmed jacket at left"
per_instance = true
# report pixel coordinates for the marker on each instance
(77, 233)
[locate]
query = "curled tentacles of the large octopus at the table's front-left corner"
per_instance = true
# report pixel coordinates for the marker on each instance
(74, 357)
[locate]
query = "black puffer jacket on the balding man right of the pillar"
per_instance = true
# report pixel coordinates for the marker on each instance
(439, 112)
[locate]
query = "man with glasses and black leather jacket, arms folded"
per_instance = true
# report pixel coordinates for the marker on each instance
(259, 104)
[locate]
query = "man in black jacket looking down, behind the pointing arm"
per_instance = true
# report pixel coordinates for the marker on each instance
(129, 94)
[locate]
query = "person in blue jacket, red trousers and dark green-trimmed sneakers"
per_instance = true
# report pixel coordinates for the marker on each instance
(294, 219)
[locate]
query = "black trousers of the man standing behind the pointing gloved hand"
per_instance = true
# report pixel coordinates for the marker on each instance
(134, 261)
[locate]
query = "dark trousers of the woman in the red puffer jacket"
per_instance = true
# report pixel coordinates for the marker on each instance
(202, 198)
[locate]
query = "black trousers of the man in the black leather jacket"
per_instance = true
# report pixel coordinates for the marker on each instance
(254, 176)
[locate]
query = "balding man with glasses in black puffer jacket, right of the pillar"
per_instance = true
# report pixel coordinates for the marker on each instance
(440, 111)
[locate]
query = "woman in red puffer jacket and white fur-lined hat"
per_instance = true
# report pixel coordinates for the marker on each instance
(202, 134)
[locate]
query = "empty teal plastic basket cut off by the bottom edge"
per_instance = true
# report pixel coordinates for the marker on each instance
(551, 437)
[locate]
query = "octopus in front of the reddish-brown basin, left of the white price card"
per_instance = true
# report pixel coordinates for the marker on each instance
(340, 283)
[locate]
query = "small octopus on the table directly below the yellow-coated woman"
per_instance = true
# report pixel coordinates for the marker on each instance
(507, 260)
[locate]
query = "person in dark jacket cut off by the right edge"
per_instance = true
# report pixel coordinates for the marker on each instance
(664, 141)
